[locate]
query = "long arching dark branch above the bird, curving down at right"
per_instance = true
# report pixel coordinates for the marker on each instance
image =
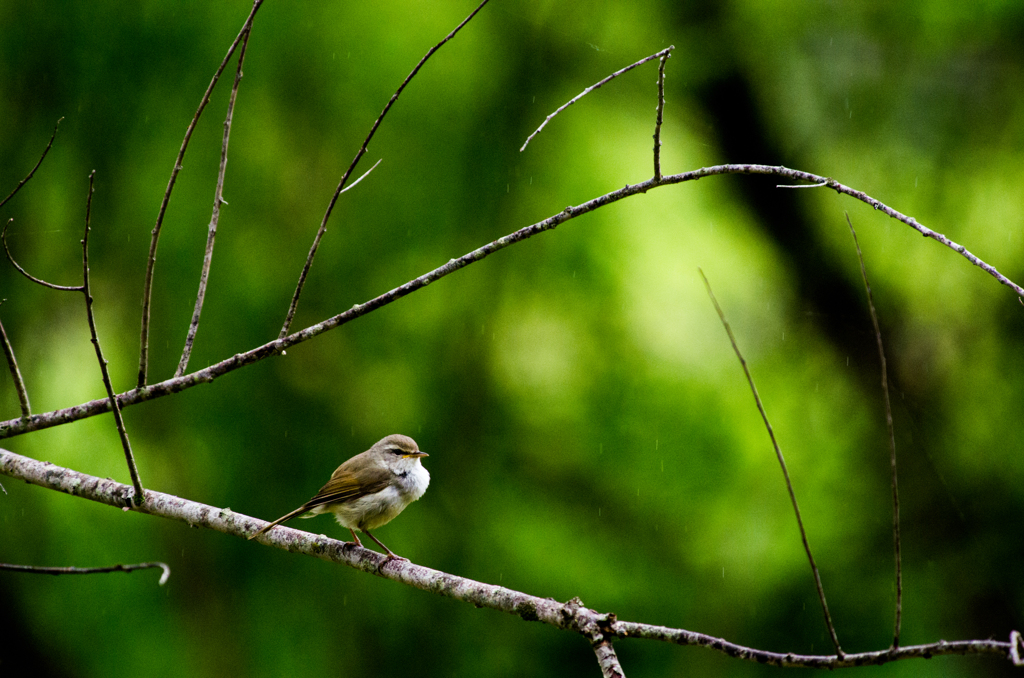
(15, 428)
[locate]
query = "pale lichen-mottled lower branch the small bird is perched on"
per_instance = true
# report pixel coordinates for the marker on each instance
(572, 616)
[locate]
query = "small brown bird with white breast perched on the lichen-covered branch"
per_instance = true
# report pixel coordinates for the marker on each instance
(369, 490)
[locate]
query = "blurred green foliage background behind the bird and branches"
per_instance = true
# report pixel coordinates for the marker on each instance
(590, 431)
